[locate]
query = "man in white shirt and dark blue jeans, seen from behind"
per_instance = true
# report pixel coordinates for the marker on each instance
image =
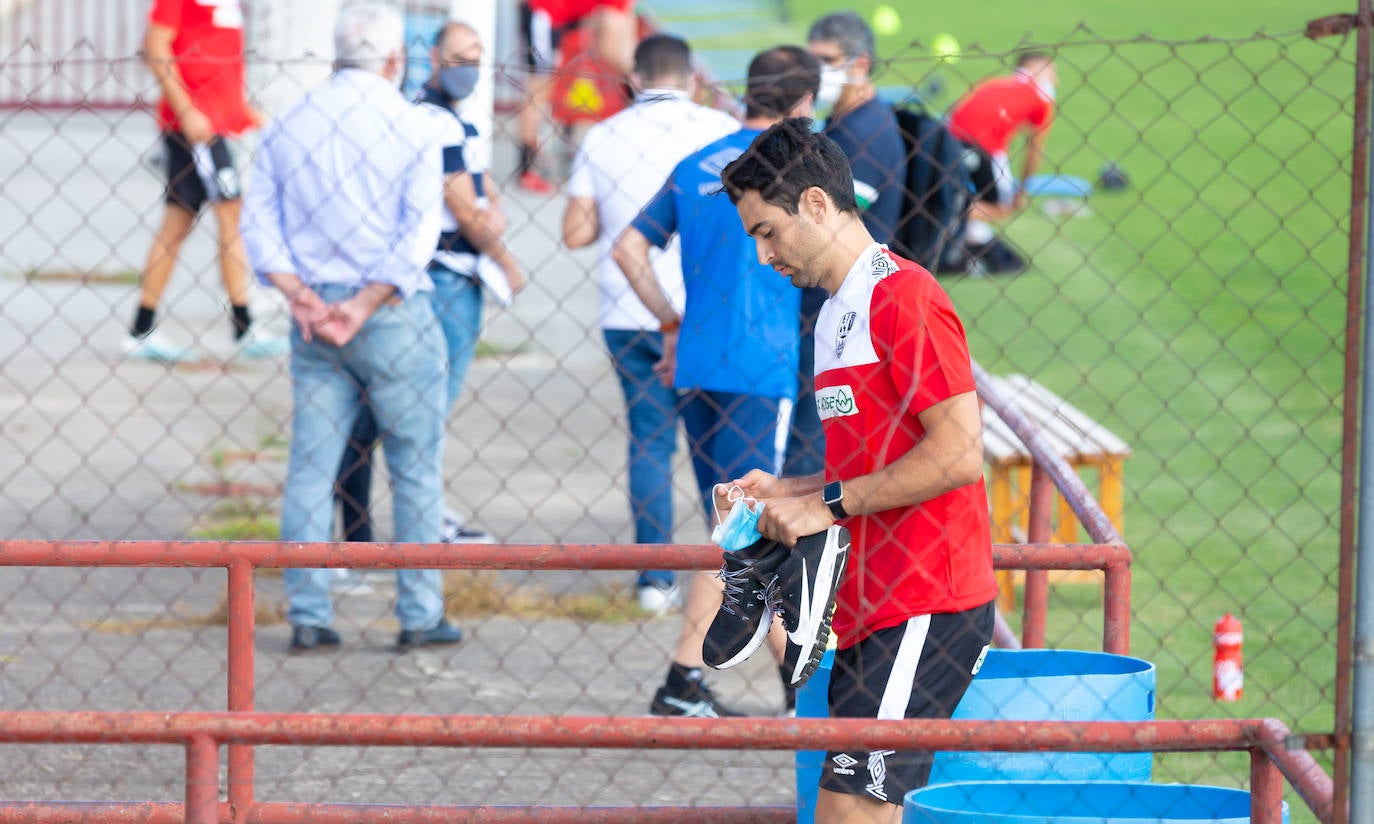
(622, 165)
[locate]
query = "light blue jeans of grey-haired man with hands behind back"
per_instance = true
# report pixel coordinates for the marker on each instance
(398, 360)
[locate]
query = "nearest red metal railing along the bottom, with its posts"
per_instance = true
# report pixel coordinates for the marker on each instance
(201, 734)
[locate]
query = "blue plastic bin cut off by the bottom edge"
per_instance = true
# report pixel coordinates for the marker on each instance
(1075, 803)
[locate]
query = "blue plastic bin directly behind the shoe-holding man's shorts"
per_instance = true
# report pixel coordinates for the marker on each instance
(1055, 686)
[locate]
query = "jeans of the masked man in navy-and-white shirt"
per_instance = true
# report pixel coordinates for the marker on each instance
(458, 303)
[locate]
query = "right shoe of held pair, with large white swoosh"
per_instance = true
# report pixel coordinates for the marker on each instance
(809, 583)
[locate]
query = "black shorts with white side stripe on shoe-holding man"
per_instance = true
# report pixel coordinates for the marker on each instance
(919, 669)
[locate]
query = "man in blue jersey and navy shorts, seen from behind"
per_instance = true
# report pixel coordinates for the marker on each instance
(733, 354)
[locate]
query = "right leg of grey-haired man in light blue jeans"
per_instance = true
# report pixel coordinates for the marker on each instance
(401, 355)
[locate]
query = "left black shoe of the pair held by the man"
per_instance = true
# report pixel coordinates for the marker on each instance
(747, 608)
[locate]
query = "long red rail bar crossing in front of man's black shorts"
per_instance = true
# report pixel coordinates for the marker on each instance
(619, 733)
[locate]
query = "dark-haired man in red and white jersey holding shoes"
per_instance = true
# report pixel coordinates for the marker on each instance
(903, 474)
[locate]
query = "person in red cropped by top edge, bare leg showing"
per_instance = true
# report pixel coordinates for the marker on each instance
(545, 23)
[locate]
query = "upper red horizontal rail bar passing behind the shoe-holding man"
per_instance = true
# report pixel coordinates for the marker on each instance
(465, 557)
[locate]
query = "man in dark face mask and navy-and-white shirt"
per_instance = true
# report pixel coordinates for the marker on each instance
(472, 227)
